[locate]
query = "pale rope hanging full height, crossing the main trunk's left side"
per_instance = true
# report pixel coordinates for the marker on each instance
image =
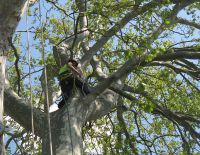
(45, 78)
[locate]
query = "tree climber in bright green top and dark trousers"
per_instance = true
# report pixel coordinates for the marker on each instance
(71, 77)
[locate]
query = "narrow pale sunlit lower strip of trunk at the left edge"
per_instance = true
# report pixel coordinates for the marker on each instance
(2, 83)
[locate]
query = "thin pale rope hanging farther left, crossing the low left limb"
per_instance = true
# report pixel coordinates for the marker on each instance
(30, 82)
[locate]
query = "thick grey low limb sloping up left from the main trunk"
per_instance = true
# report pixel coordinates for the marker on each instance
(20, 111)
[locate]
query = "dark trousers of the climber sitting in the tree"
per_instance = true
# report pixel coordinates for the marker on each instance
(67, 87)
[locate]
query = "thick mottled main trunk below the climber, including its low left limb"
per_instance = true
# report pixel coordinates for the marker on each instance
(79, 113)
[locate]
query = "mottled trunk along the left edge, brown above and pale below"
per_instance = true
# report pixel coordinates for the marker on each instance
(10, 12)
